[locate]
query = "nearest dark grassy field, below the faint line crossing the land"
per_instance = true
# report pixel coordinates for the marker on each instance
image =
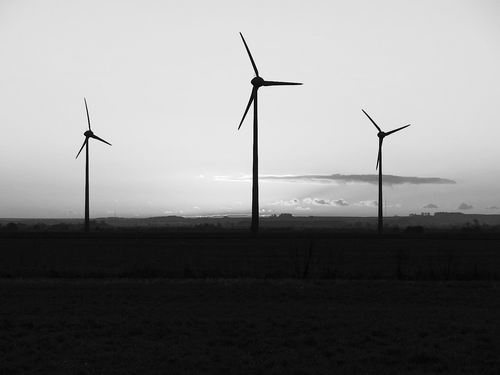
(248, 326)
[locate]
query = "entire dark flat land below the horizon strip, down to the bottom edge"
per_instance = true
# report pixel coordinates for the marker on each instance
(221, 303)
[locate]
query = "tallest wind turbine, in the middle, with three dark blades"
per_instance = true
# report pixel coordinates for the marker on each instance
(257, 82)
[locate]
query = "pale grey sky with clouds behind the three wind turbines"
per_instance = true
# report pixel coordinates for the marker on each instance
(167, 83)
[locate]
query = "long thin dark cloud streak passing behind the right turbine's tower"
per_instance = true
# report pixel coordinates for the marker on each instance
(359, 178)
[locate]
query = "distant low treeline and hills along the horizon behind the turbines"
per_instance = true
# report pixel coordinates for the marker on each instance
(405, 224)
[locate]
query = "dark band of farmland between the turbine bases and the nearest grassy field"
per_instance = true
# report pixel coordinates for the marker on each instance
(272, 255)
